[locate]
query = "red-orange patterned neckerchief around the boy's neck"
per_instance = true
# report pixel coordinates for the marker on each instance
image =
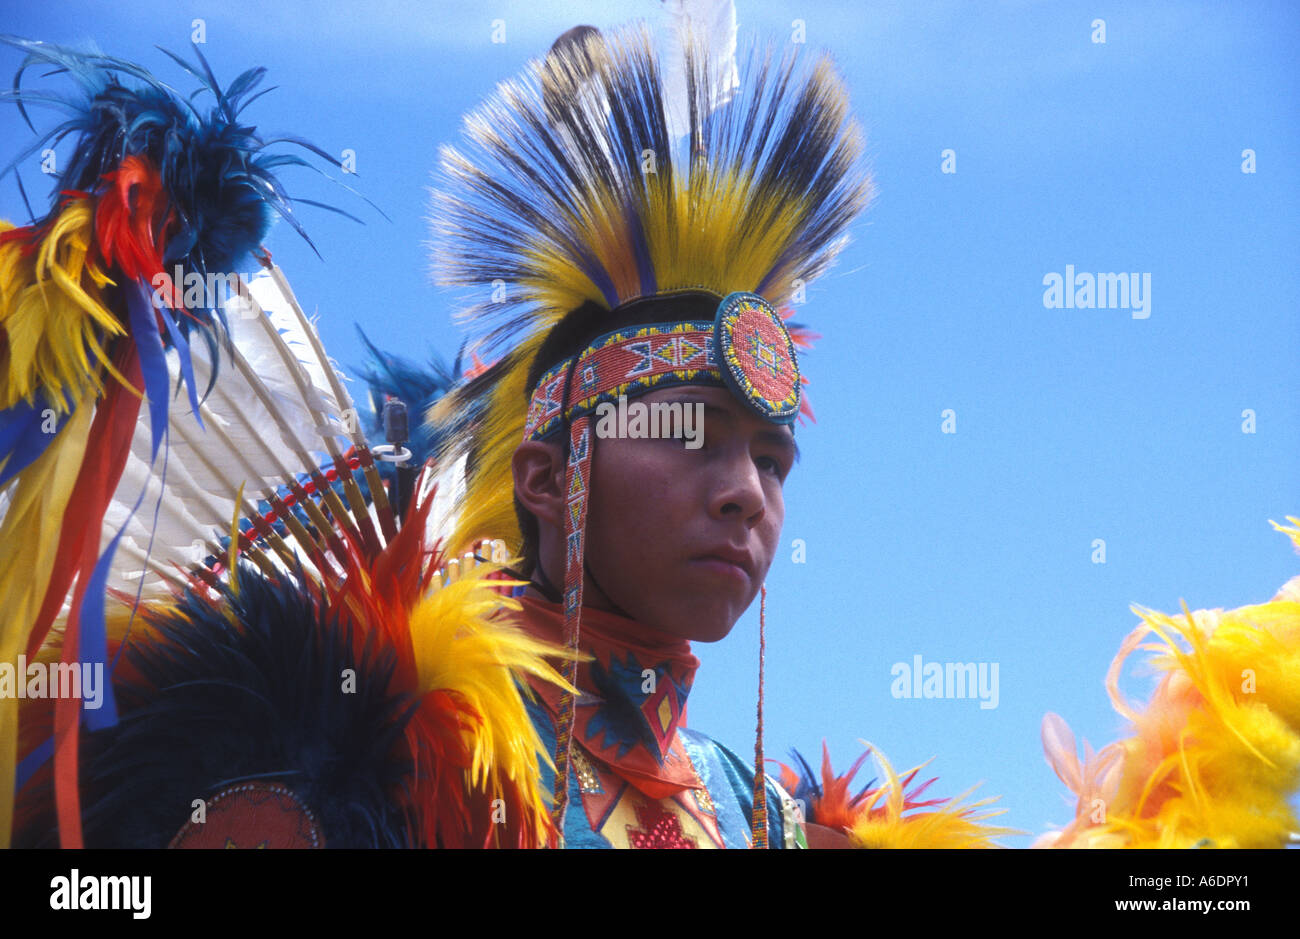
(632, 698)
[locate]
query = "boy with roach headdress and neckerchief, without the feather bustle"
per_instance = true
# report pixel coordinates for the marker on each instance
(643, 413)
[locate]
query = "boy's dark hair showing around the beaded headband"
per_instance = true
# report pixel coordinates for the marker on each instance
(575, 334)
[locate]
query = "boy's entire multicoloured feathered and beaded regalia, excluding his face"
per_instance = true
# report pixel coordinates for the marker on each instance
(306, 639)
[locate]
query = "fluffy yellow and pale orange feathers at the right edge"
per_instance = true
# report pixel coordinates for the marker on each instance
(1216, 754)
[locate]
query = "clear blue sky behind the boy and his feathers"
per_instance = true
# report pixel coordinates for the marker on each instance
(1072, 425)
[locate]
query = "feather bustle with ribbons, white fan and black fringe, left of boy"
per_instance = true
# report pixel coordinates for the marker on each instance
(246, 643)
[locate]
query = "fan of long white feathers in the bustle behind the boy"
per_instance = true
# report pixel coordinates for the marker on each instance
(242, 443)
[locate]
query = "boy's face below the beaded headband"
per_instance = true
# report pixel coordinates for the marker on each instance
(681, 539)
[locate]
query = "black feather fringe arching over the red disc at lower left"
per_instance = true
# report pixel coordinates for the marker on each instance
(250, 689)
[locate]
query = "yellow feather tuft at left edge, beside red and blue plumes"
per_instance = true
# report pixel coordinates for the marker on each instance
(53, 314)
